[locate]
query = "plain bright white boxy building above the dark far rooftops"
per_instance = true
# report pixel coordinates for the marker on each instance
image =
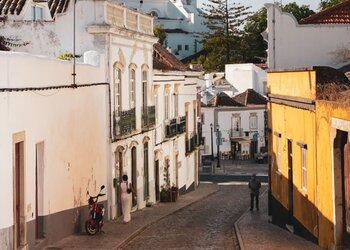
(245, 76)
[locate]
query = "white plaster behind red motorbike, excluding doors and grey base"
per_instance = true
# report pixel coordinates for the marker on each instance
(72, 123)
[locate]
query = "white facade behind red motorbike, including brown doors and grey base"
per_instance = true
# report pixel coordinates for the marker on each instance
(54, 147)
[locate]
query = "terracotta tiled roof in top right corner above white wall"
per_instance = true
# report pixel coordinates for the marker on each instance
(338, 14)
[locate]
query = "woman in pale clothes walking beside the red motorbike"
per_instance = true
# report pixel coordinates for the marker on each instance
(126, 190)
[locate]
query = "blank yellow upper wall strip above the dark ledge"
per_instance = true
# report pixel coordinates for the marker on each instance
(299, 84)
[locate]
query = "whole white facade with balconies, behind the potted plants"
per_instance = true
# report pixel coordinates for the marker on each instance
(178, 130)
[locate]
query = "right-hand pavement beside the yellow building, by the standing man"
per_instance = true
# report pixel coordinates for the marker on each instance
(255, 232)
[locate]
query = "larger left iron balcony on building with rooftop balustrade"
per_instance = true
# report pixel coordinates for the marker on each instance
(124, 124)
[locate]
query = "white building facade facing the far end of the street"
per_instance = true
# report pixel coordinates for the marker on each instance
(241, 131)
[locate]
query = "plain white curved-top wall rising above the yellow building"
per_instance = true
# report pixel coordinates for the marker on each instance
(291, 45)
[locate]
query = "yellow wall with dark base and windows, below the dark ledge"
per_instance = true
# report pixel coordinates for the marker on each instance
(297, 125)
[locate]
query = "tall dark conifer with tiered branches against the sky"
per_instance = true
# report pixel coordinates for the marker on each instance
(223, 42)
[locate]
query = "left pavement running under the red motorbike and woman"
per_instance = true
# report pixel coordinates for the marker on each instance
(116, 234)
